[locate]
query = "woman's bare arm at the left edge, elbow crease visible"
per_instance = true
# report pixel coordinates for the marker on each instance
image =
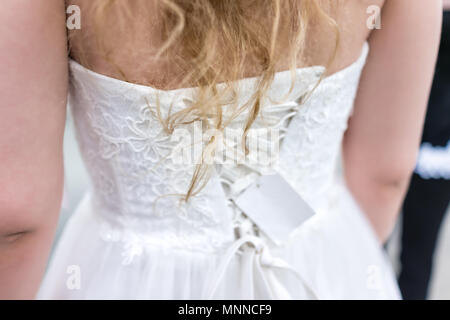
(33, 89)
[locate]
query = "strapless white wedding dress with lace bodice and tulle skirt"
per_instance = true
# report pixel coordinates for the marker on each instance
(129, 240)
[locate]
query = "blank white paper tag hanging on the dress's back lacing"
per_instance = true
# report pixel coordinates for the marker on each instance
(274, 206)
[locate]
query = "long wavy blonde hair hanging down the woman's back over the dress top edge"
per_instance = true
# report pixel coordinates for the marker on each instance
(194, 33)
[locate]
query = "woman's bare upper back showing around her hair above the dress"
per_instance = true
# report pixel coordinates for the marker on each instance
(133, 54)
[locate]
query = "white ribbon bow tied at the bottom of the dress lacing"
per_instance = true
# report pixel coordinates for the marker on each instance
(259, 262)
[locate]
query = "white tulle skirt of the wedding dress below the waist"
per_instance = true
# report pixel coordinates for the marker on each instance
(333, 255)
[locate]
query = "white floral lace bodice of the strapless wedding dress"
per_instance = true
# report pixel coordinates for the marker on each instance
(135, 166)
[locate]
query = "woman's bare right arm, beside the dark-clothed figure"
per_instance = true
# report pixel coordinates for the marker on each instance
(381, 144)
